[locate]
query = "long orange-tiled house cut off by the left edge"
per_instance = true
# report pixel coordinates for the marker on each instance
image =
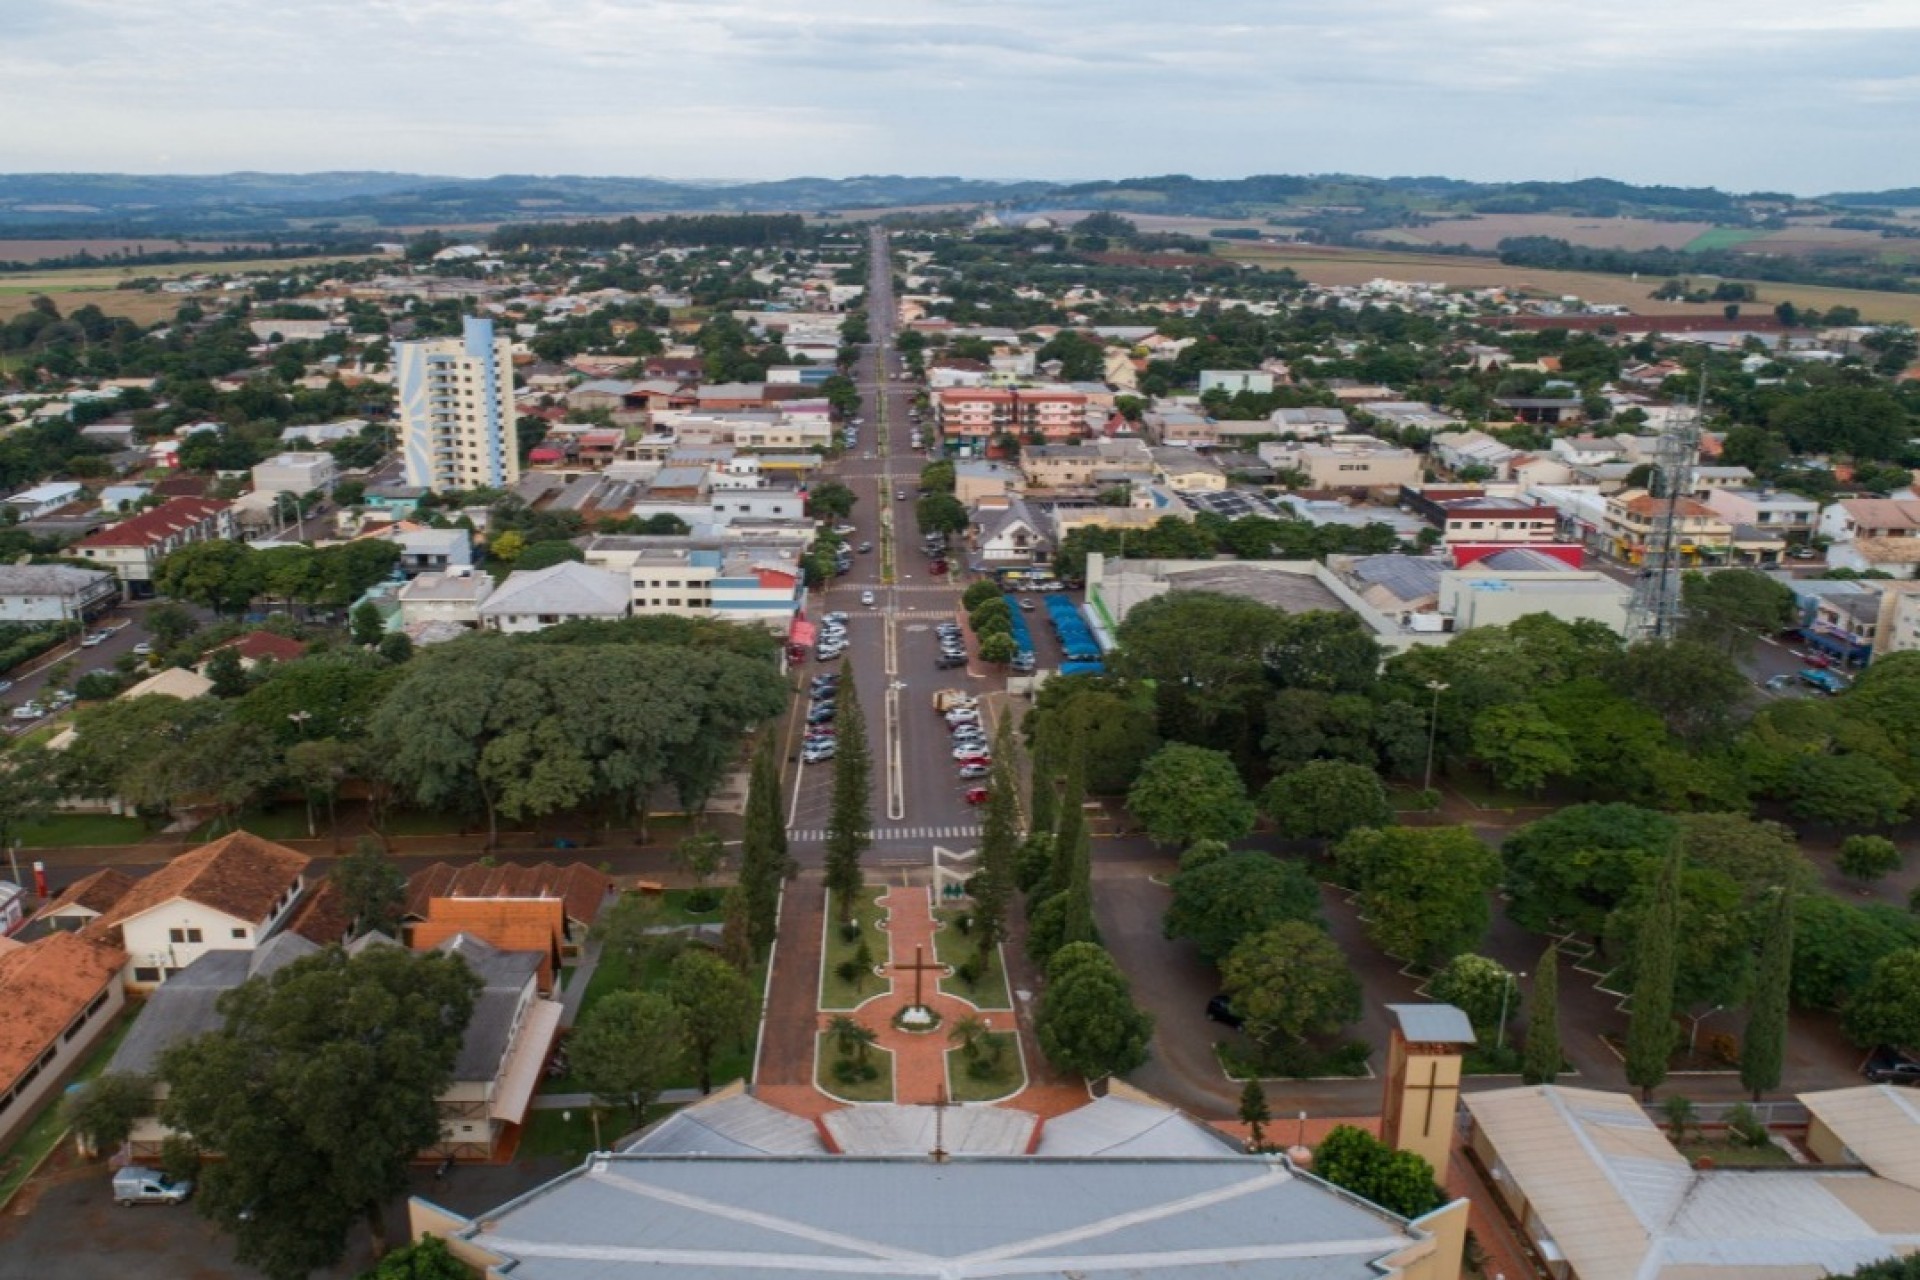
(60, 995)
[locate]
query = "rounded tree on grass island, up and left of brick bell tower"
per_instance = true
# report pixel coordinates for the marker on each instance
(1291, 982)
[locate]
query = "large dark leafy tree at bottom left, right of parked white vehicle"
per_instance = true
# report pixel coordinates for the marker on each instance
(318, 1095)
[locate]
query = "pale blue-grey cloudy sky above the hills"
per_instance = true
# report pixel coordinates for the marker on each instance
(1750, 95)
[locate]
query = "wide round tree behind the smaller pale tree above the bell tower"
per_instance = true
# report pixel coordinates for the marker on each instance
(1426, 891)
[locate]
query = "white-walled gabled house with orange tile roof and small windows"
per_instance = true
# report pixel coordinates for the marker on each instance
(228, 895)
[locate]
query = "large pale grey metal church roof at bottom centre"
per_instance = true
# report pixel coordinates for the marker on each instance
(836, 1216)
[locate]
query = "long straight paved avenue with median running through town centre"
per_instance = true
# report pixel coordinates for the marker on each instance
(919, 797)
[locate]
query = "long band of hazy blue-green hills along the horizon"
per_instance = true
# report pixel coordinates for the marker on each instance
(318, 206)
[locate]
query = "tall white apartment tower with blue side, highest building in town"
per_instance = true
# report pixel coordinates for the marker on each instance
(456, 410)
